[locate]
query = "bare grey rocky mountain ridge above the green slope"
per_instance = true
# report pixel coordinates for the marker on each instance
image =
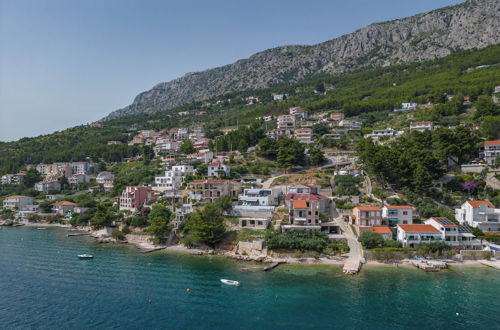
(472, 24)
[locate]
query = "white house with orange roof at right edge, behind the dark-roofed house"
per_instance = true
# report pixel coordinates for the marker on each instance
(480, 214)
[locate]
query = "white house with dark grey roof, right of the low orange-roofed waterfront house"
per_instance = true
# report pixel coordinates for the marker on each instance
(454, 235)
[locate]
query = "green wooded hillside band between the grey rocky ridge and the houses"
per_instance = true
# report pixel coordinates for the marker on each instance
(368, 95)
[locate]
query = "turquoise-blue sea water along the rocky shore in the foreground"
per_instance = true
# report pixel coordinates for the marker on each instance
(45, 286)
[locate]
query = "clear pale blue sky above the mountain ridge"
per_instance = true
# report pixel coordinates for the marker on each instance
(70, 62)
